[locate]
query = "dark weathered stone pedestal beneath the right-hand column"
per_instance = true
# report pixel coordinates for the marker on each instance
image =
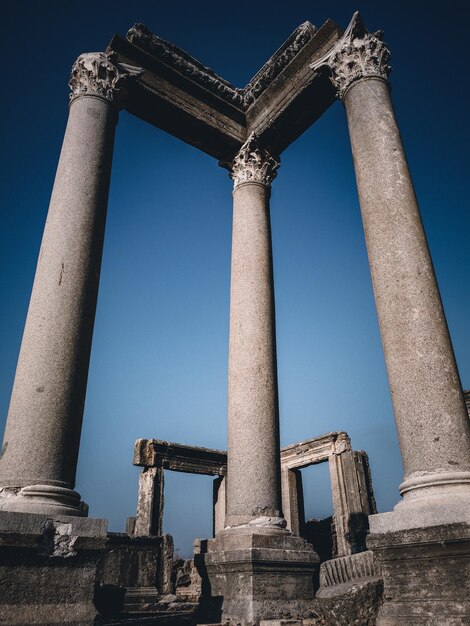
(426, 573)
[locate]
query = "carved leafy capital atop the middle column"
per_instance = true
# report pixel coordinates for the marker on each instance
(253, 164)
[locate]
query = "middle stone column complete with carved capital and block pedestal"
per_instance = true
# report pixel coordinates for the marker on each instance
(259, 569)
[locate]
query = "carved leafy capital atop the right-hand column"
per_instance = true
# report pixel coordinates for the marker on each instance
(360, 54)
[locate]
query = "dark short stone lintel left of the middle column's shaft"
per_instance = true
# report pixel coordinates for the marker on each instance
(179, 458)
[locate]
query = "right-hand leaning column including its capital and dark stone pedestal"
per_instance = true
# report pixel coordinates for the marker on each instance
(423, 546)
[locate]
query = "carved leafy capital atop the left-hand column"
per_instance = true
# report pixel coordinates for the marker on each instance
(95, 74)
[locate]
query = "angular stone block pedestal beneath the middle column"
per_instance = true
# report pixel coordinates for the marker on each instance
(256, 575)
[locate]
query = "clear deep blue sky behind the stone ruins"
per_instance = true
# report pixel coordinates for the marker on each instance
(159, 360)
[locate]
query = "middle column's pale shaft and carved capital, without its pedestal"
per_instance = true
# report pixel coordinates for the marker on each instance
(253, 483)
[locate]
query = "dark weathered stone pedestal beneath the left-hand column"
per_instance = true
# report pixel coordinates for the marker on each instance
(48, 567)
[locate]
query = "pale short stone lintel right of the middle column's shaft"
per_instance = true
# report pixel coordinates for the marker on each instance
(314, 450)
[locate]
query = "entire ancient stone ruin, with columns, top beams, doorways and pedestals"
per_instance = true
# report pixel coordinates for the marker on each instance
(58, 565)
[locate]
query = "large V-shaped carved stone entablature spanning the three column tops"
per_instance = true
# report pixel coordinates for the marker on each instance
(179, 95)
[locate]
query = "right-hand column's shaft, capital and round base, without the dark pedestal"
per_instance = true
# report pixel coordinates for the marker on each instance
(430, 412)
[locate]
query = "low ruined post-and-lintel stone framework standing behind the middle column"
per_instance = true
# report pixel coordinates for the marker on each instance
(351, 485)
